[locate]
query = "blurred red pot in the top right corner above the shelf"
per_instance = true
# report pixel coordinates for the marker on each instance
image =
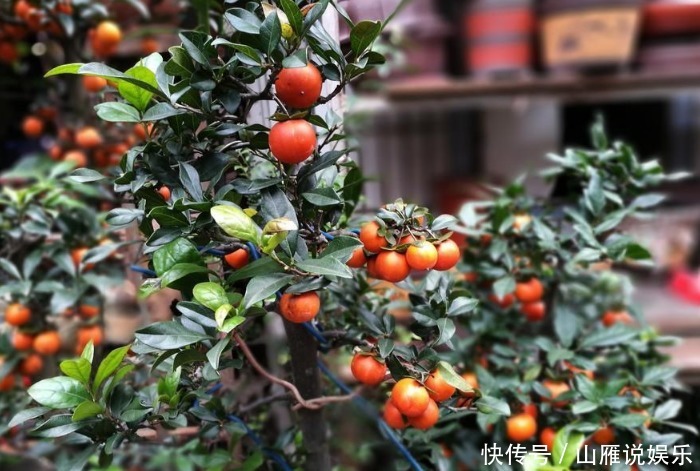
(671, 17)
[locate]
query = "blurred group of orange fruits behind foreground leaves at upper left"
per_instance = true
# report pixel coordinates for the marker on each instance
(86, 145)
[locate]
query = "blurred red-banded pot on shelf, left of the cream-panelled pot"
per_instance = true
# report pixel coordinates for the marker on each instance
(498, 36)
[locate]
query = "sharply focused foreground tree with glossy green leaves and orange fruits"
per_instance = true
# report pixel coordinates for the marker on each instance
(250, 222)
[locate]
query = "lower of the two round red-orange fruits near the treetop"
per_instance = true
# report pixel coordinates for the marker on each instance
(293, 141)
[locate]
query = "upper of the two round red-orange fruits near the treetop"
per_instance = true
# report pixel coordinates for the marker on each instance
(299, 87)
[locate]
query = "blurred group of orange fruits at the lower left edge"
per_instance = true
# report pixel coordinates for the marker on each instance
(36, 345)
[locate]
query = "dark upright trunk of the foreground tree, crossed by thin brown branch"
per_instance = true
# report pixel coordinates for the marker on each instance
(304, 355)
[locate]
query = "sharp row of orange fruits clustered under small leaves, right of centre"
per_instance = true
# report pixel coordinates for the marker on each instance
(394, 263)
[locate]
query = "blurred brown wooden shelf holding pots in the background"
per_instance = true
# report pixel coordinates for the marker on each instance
(566, 87)
